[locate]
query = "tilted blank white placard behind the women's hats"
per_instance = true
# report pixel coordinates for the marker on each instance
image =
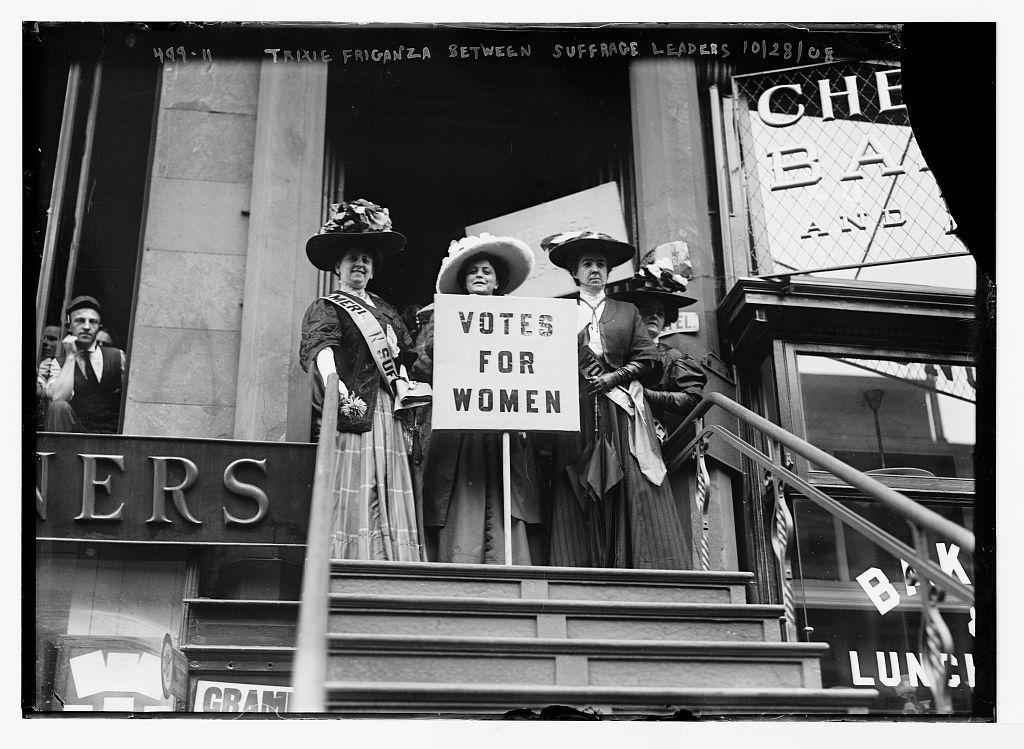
(596, 210)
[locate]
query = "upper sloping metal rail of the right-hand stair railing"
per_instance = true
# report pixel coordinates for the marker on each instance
(872, 488)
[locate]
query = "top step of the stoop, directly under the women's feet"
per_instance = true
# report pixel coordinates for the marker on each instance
(499, 581)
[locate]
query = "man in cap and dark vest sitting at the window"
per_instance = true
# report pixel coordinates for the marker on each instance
(86, 396)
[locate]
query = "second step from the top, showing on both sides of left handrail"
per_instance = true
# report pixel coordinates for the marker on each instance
(273, 623)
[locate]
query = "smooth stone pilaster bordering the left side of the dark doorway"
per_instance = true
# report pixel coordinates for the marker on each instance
(273, 393)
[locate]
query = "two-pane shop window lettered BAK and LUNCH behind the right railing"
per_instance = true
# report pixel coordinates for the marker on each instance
(908, 422)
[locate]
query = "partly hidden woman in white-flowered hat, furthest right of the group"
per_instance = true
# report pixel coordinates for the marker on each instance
(659, 293)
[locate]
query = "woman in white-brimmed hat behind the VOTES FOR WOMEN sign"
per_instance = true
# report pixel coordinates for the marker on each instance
(462, 476)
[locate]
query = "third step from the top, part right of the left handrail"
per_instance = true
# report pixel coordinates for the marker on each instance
(573, 663)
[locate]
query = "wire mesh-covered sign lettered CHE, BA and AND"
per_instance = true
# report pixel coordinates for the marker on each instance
(834, 175)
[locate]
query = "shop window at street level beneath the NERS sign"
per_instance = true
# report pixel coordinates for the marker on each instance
(102, 617)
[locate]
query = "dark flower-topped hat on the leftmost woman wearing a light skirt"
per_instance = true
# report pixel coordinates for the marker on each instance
(357, 225)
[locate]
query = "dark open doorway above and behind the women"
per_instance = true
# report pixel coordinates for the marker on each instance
(445, 145)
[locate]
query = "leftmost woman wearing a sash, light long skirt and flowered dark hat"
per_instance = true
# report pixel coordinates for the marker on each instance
(374, 512)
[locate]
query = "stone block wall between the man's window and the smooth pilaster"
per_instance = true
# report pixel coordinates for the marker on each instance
(186, 342)
